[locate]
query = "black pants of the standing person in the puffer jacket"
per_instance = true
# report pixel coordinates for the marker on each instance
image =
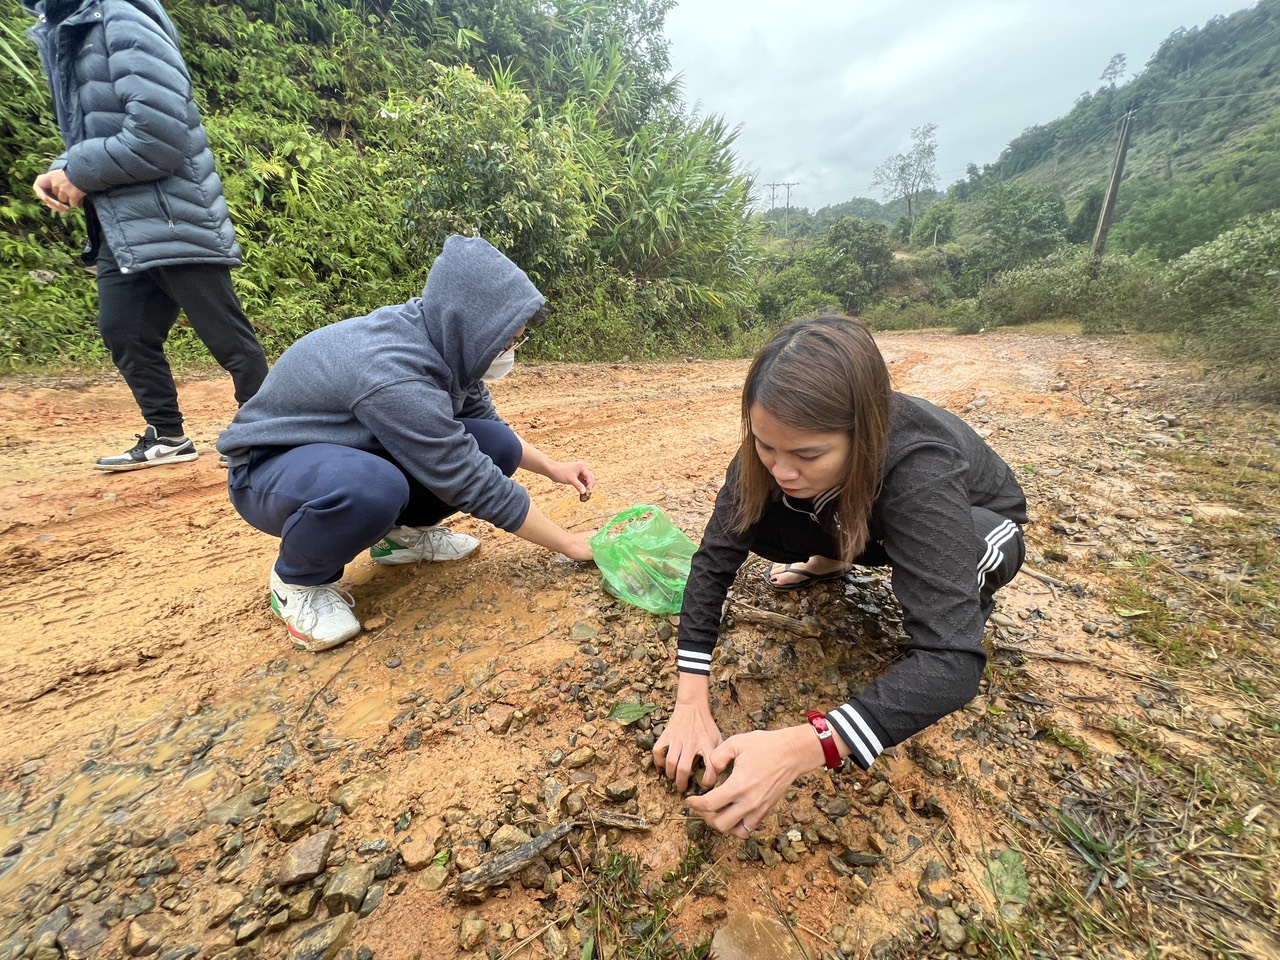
(136, 313)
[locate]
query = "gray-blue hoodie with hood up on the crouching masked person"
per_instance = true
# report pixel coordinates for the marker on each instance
(401, 378)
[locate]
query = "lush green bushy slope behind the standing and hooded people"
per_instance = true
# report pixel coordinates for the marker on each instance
(354, 136)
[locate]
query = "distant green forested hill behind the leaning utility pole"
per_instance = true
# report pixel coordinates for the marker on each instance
(1205, 143)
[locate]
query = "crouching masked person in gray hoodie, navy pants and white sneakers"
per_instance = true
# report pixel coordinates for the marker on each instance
(369, 432)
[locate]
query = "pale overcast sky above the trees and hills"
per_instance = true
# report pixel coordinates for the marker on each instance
(826, 90)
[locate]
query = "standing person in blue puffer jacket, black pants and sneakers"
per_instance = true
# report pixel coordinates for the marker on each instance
(138, 159)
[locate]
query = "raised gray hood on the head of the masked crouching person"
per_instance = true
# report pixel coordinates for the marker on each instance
(474, 303)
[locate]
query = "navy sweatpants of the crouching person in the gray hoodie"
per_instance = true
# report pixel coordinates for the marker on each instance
(328, 504)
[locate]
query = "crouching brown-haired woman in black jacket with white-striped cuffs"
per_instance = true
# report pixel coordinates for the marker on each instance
(836, 469)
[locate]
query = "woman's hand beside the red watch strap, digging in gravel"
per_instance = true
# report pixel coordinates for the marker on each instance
(766, 762)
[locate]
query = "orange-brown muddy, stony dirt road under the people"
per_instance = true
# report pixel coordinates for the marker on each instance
(166, 749)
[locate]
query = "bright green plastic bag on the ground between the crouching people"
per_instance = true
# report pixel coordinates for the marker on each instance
(644, 559)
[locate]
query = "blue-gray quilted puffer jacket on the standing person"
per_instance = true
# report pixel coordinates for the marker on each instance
(135, 141)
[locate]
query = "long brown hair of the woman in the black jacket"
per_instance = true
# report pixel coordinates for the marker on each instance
(824, 376)
